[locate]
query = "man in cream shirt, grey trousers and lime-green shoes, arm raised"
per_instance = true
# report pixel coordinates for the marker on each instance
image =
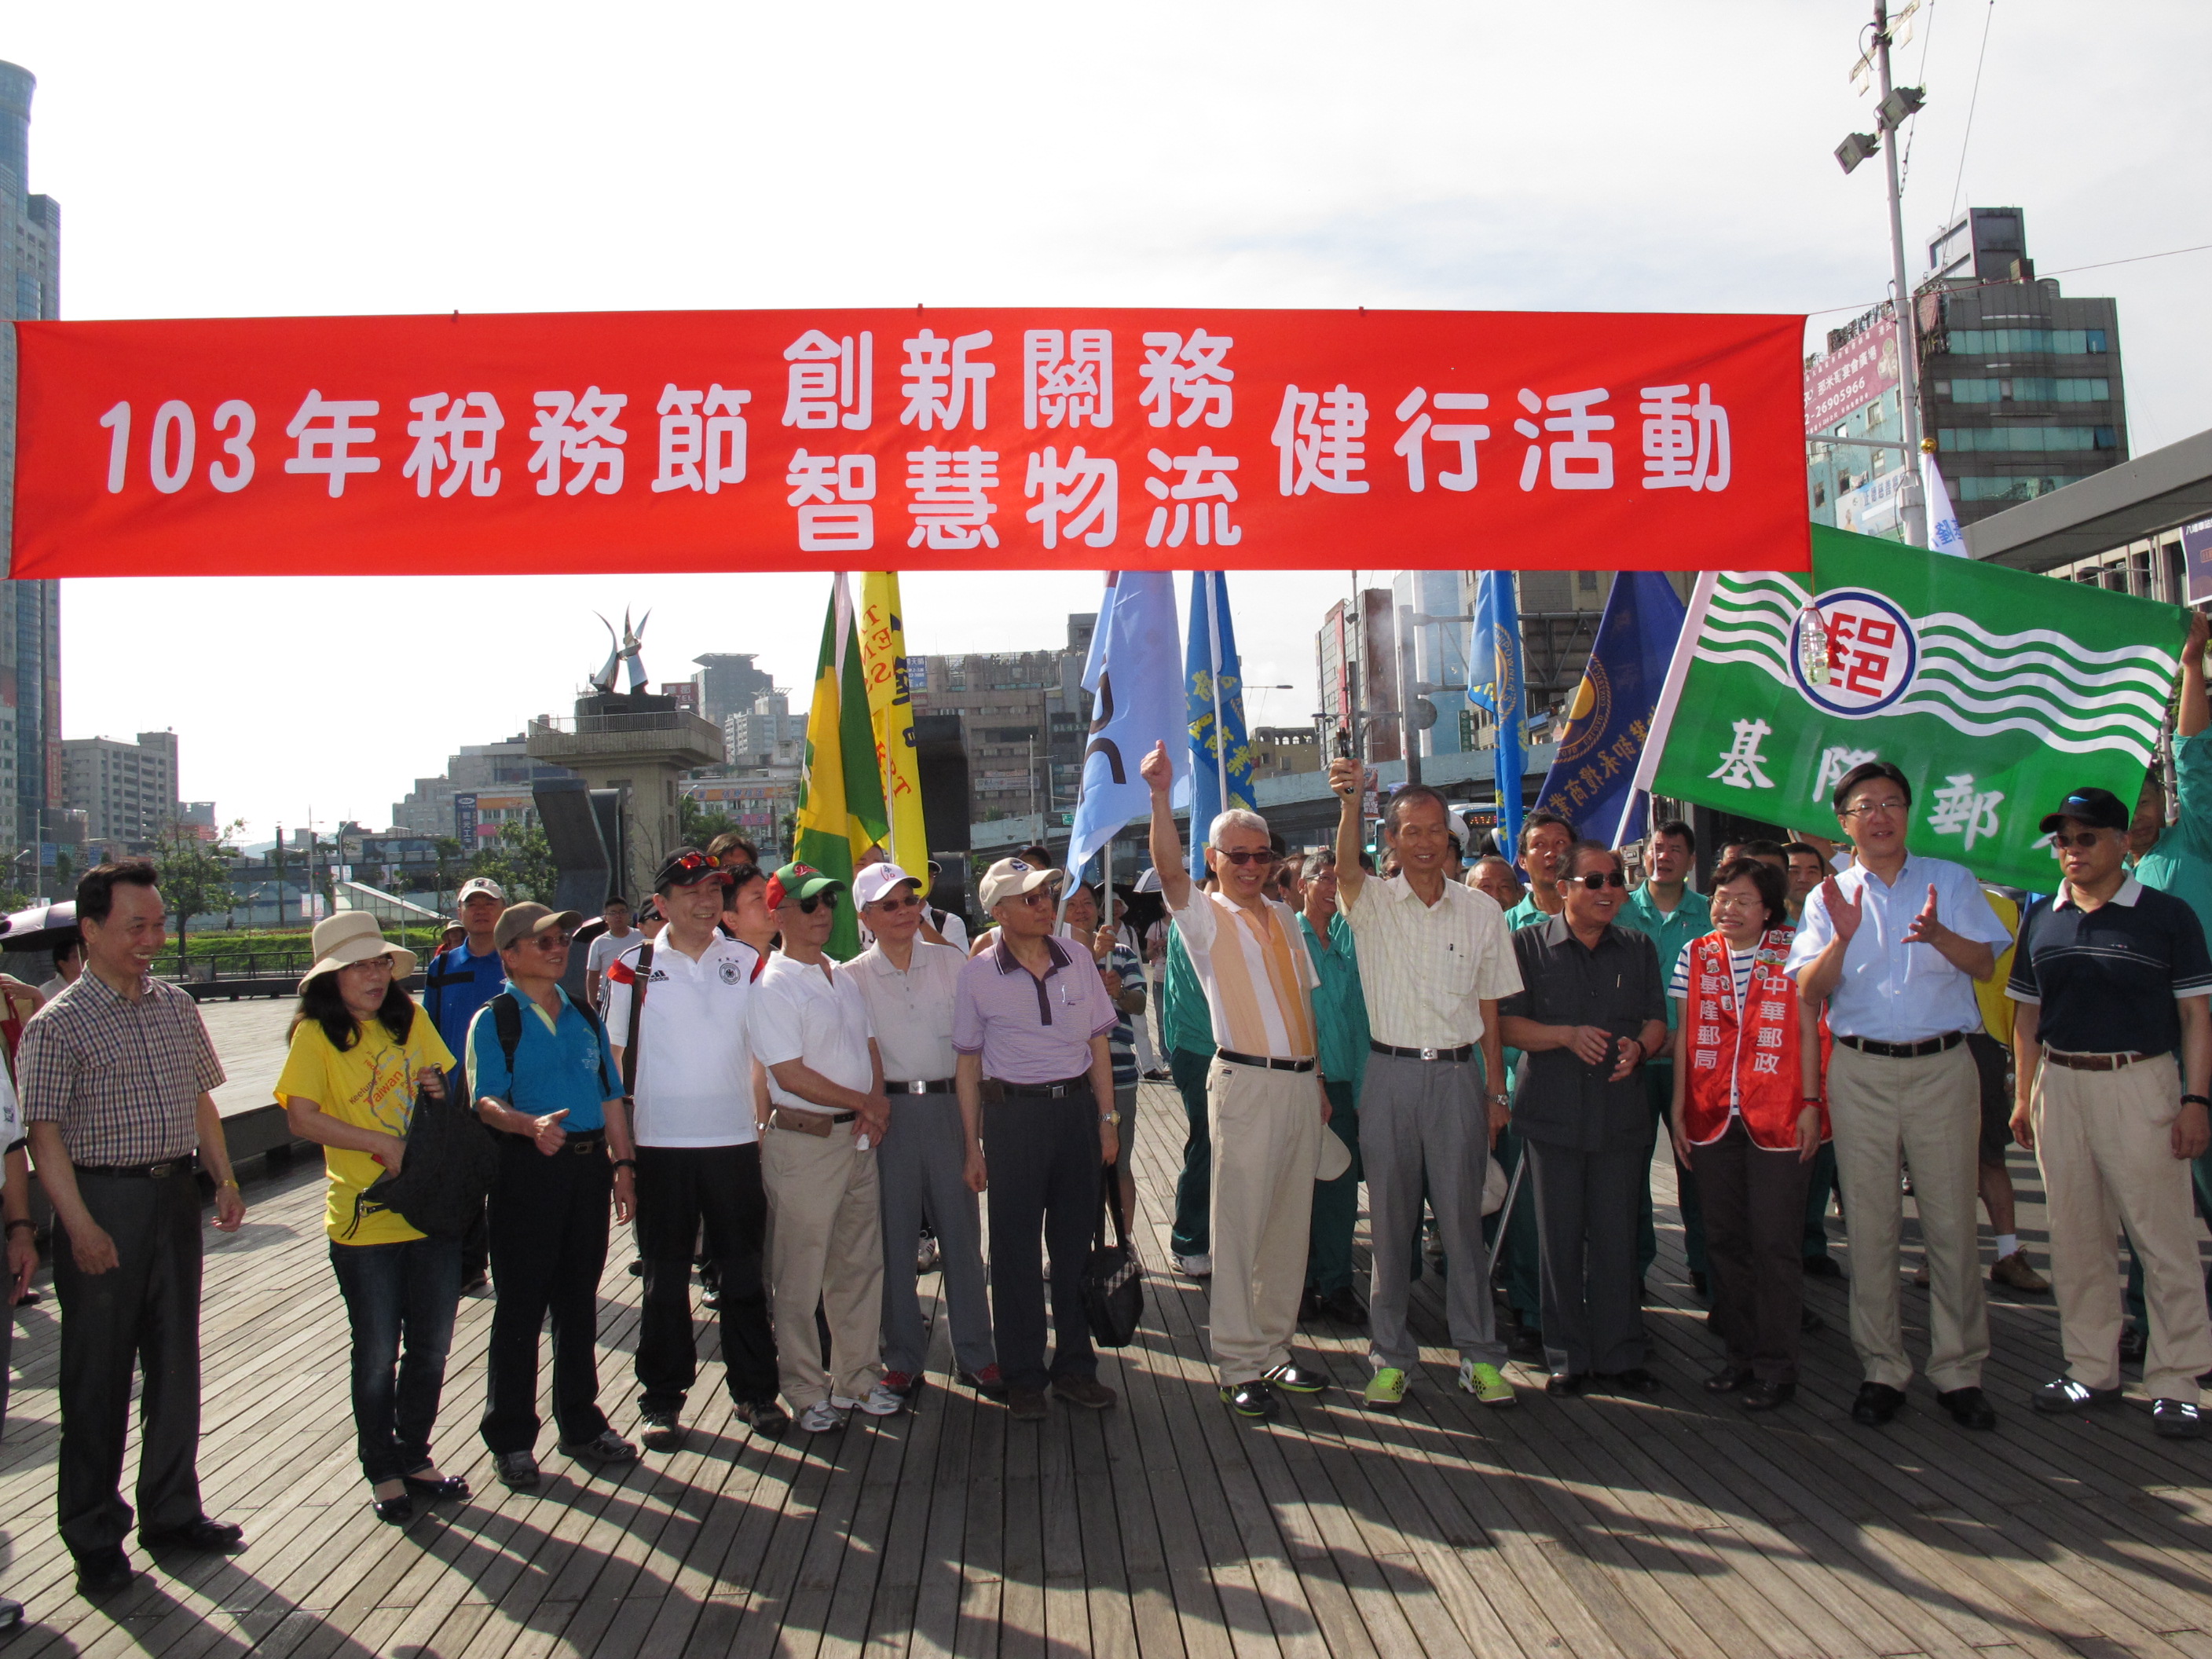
(1434, 963)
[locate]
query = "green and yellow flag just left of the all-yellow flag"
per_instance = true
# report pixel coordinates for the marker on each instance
(842, 789)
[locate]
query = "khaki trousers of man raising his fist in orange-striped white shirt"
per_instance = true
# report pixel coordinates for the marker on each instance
(1266, 1134)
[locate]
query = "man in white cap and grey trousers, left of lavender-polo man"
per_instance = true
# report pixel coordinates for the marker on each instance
(930, 1162)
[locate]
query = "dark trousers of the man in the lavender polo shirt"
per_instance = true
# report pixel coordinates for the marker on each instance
(1045, 1176)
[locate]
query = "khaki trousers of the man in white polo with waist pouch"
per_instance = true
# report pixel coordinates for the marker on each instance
(824, 1246)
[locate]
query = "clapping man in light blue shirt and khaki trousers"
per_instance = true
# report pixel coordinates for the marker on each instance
(1895, 946)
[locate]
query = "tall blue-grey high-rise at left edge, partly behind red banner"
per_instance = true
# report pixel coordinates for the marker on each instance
(30, 612)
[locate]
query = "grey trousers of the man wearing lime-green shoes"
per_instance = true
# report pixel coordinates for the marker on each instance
(1428, 1116)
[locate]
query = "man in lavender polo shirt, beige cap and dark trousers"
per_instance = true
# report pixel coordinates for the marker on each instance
(1032, 1016)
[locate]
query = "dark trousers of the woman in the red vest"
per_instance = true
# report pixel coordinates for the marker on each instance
(1755, 1233)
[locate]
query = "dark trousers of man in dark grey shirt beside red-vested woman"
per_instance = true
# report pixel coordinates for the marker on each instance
(1587, 1213)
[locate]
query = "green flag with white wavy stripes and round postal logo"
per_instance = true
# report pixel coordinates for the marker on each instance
(1994, 691)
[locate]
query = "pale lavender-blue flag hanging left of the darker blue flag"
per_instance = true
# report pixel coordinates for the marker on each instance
(1134, 709)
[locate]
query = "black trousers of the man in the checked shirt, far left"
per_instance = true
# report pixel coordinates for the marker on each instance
(140, 1313)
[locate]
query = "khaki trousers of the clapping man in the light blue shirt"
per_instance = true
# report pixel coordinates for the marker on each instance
(1926, 1116)
